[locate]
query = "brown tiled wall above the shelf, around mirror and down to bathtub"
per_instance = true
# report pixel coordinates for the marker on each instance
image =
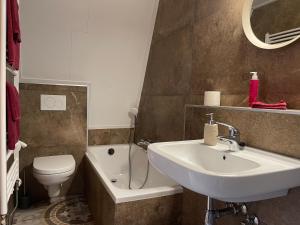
(200, 45)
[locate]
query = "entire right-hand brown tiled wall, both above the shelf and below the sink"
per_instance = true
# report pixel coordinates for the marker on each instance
(199, 45)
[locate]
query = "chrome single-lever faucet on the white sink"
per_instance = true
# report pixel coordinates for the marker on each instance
(233, 138)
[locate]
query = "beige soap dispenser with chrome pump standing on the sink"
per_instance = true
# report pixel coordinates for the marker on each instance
(211, 131)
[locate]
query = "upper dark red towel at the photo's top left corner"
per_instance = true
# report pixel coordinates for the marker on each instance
(13, 34)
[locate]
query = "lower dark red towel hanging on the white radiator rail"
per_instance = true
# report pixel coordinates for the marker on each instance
(13, 114)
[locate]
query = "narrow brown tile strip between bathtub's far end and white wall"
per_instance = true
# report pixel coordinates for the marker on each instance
(109, 136)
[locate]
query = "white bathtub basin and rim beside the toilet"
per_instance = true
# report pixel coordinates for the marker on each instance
(116, 167)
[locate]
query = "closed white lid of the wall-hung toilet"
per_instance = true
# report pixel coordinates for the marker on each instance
(53, 164)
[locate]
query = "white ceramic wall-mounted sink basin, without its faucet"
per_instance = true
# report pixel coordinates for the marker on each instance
(243, 176)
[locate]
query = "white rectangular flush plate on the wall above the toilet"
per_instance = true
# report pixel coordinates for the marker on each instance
(53, 102)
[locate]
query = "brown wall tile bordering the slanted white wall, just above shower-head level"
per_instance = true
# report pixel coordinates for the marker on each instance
(169, 66)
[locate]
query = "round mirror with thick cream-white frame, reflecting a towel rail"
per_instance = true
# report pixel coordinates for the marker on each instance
(271, 24)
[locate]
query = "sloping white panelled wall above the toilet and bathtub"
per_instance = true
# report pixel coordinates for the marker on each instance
(103, 42)
